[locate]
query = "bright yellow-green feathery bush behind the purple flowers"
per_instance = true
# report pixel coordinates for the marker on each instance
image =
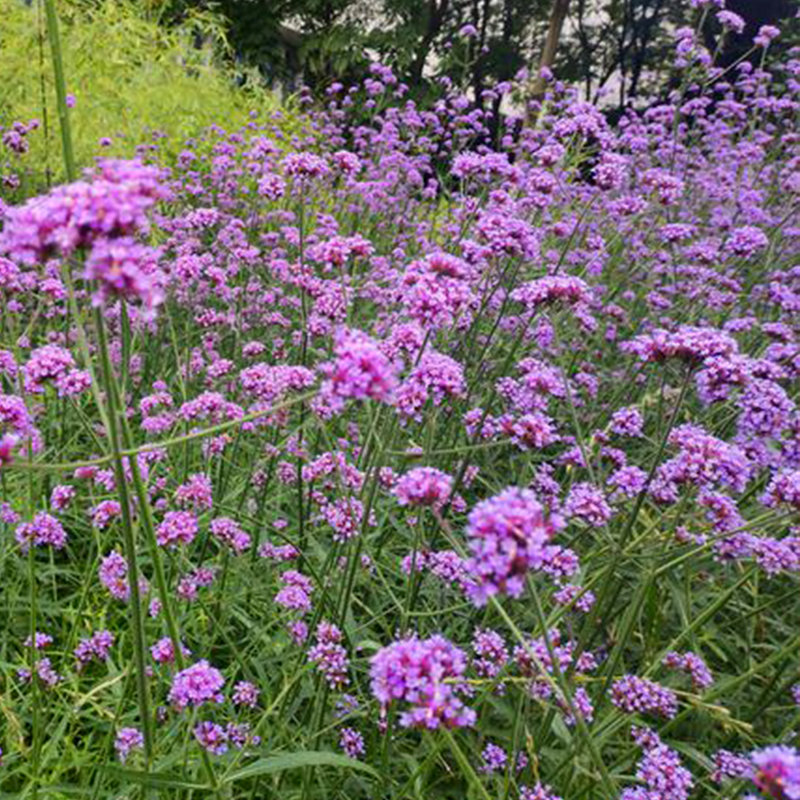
(131, 77)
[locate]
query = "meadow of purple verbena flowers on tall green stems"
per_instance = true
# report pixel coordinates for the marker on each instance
(425, 454)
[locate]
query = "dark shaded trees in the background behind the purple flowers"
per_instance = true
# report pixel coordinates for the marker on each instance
(618, 49)
